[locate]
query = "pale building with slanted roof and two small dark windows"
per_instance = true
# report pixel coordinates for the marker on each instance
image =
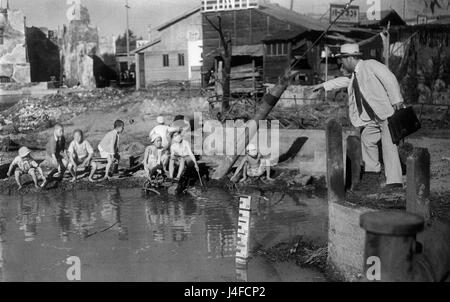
(175, 55)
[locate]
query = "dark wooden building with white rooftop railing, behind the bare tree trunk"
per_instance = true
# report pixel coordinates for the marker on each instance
(251, 29)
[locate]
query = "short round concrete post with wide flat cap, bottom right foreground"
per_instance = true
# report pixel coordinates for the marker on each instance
(390, 246)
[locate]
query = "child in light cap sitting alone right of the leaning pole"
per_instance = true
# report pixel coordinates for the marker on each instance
(253, 165)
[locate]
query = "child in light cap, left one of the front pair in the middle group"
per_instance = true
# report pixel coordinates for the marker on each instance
(155, 157)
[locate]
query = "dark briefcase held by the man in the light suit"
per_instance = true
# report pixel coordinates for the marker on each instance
(403, 123)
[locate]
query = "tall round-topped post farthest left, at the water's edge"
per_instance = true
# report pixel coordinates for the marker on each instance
(335, 162)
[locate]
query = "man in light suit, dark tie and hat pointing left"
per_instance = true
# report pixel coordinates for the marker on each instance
(374, 95)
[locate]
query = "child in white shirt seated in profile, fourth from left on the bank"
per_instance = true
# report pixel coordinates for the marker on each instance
(109, 146)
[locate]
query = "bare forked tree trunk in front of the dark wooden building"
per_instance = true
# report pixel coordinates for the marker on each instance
(226, 54)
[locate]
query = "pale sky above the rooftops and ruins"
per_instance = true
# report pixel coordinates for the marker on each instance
(109, 15)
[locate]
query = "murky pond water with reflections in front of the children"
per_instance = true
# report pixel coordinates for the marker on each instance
(124, 235)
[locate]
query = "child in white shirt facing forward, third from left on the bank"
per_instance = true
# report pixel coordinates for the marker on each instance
(80, 155)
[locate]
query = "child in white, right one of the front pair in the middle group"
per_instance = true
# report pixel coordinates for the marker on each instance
(181, 153)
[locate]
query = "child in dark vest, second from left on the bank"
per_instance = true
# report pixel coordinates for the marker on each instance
(56, 153)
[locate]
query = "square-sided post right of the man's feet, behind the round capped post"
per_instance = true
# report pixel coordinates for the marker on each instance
(418, 183)
